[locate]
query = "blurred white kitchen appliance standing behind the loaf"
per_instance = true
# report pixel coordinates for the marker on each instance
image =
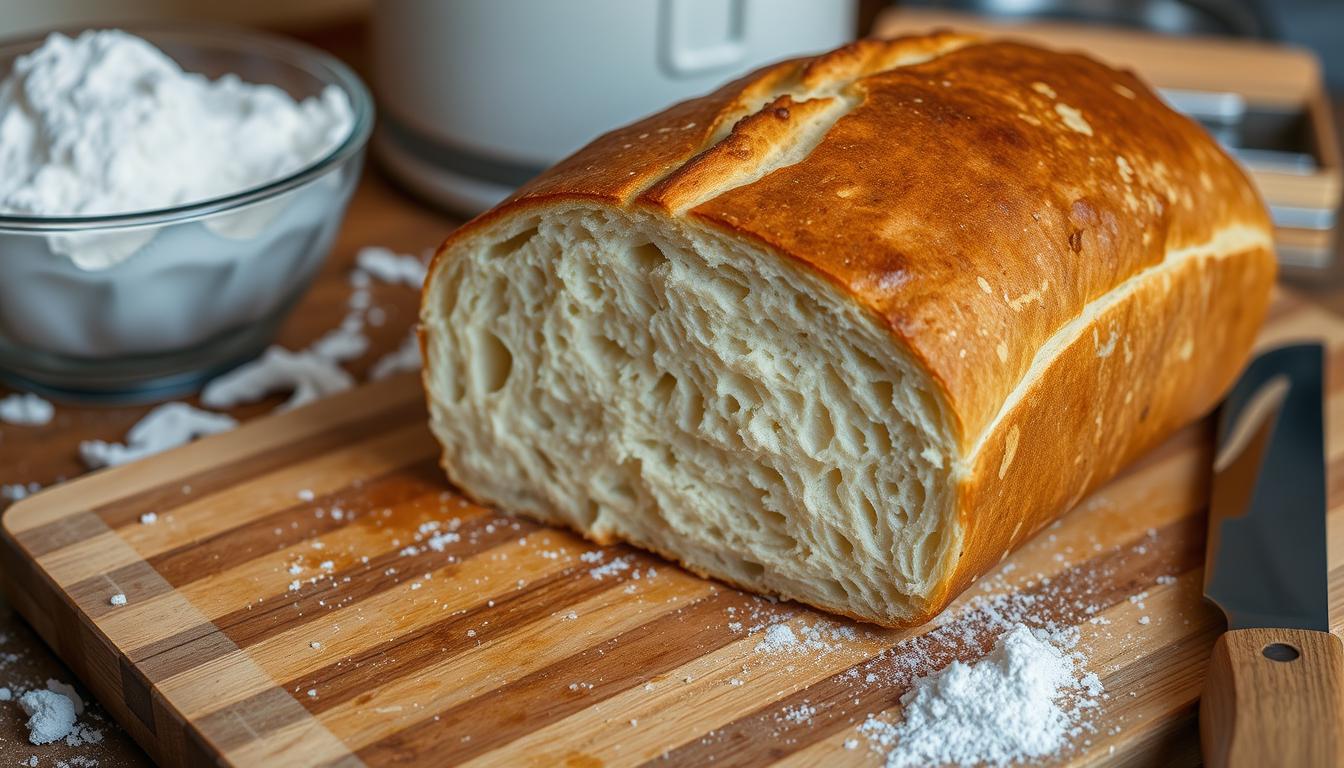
(479, 96)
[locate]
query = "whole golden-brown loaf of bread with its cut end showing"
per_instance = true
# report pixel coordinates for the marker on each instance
(851, 329)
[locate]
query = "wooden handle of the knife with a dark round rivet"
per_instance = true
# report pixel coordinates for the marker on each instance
(1273, 697)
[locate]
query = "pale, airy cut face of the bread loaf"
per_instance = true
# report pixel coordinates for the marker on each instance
(700, 397)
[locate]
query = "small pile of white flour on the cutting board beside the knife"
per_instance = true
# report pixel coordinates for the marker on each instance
(1018, 704)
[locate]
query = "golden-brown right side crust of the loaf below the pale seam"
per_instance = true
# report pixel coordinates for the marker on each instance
(1146, 368)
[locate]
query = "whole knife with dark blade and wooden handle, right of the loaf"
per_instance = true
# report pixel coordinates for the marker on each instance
(1275, 689)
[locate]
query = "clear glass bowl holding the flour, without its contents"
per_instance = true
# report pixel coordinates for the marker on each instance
(187, 293)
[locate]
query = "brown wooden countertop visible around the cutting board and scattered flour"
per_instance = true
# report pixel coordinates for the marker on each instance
(380, 215)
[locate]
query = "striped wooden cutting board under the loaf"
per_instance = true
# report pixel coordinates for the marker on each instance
(419, 629)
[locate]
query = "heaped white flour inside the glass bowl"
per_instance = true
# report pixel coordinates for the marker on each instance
(108, 124)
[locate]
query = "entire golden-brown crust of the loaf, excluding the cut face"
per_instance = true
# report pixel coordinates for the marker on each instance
(978, 198)
